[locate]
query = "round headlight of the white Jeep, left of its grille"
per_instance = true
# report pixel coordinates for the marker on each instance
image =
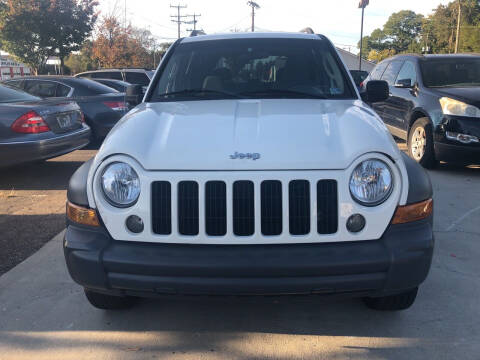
(120, 184)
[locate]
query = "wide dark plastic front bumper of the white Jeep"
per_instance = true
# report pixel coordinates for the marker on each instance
(399, 261)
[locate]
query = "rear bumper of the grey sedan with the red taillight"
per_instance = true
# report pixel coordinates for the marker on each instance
(19, 152)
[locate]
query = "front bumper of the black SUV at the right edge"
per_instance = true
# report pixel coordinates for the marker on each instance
(455, 151)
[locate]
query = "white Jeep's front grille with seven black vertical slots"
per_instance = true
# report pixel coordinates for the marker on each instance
(237, 205)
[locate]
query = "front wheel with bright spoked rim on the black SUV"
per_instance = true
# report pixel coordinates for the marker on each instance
(420, 143)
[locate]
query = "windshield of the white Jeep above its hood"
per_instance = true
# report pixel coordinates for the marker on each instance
(253, 68)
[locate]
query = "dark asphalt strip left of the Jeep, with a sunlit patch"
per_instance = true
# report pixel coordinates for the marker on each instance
(32, 205)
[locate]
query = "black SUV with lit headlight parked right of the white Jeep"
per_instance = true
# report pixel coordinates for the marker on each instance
(434, 104)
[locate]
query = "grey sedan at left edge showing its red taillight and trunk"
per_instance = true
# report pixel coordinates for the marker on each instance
(33, 129)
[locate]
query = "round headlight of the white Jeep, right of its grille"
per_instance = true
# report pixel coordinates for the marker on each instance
(371, 182)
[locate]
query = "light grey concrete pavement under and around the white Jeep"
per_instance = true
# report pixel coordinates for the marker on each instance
(43, 314)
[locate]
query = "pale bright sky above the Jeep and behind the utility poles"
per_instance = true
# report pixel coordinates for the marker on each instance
(337, 19)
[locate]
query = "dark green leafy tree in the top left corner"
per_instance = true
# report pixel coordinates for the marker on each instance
(33, 30)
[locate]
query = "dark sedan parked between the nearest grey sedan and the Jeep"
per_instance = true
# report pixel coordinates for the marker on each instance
(101, 105)
